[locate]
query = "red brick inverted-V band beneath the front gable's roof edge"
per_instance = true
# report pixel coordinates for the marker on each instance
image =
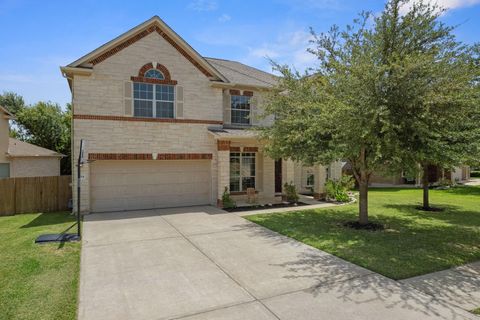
(153, 28)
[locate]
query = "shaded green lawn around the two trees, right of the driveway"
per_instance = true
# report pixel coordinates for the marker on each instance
(413, 243)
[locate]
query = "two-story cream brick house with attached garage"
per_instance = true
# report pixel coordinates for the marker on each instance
(167, 127)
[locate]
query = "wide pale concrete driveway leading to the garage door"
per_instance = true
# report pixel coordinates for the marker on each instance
(203, 263)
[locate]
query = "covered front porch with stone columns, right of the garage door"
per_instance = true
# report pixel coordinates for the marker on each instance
(243, 165)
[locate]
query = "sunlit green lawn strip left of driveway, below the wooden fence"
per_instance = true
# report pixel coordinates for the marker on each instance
(37, 281)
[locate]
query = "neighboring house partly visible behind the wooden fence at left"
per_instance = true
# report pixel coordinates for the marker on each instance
(21, 159)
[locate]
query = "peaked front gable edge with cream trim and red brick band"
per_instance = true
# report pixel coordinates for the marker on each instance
(155, 24)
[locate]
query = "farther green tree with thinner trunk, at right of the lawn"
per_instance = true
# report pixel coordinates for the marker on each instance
(432, 94)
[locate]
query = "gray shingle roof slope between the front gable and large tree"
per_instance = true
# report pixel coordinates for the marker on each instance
(242, 74)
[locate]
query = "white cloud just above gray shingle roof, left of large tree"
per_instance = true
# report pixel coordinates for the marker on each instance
(289, 48)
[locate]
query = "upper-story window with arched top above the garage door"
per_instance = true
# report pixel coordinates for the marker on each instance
(153, 100)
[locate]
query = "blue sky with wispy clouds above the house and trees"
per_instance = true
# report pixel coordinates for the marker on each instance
(39, 36)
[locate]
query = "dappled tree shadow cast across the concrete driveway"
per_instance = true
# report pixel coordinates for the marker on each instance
(325, 276)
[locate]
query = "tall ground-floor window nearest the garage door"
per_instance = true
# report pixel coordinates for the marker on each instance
(242, 171)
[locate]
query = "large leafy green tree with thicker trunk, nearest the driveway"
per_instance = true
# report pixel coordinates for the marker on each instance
(353, 106)
